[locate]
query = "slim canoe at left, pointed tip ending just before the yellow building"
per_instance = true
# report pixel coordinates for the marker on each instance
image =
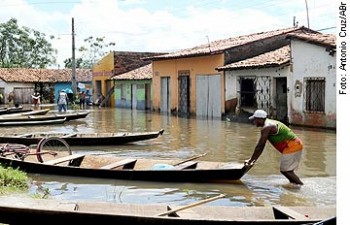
(50, 116)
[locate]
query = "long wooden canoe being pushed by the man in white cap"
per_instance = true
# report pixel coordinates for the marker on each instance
(160, 170)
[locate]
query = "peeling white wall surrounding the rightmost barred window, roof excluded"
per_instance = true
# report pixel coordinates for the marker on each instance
(311, 60)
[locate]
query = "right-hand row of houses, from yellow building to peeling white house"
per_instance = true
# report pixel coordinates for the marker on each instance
(288, 72)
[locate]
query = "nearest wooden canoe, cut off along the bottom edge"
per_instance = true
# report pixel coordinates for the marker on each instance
(43, 211)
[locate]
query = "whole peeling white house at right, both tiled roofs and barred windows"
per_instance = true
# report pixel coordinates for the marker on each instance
(294, 84)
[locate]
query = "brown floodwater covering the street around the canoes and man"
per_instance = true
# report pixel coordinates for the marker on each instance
(183, 138)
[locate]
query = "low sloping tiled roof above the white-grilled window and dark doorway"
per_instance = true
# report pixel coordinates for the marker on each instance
(274, 58)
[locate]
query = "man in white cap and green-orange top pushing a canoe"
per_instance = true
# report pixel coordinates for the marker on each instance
(283, 139)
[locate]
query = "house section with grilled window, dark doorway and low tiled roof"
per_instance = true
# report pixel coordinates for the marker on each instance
(259, 82)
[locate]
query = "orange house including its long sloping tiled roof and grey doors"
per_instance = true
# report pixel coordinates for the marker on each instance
(188, 82)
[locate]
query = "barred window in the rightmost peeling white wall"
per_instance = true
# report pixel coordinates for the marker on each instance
(315, 94)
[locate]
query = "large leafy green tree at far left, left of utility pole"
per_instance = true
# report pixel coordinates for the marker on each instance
(24, 47)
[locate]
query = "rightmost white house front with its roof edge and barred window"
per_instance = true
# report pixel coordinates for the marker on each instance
(312, 95)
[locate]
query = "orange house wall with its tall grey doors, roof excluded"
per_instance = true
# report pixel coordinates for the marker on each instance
(175, 82)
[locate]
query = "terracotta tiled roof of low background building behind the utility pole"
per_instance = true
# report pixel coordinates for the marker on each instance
(43, 75)
